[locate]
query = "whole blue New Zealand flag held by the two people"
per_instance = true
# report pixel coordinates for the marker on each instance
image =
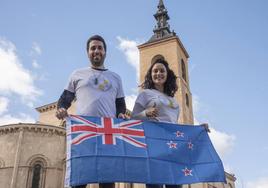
(103, 150)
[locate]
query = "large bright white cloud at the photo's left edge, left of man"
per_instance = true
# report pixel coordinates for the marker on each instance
(14, 77)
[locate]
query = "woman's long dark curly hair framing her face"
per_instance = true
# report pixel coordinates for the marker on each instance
(170, 86)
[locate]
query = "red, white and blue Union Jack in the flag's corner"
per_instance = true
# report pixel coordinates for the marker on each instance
(108, 129)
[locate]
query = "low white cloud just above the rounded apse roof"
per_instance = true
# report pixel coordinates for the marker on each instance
(22, 118)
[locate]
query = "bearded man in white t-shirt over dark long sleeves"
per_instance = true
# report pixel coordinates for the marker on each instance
(97, 90)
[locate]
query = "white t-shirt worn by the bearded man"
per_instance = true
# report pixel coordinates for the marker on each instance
(95, 91)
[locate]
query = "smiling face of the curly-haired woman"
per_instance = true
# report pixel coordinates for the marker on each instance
(159, 74)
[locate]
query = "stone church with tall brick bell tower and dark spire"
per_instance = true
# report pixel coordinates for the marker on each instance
(33, 155)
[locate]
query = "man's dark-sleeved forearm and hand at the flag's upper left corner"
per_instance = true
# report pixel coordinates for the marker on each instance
(64, 103)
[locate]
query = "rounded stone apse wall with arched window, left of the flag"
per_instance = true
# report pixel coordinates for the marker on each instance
(22, 146)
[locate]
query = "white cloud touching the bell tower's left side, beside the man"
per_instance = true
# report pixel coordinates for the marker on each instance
(130, 50)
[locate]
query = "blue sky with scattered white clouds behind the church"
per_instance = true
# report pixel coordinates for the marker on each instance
(42, 42)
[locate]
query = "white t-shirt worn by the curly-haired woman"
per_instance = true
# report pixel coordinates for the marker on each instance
(168, 108)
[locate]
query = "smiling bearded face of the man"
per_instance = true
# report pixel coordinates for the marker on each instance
(96, 53)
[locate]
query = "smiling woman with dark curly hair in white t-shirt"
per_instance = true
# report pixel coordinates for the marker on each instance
(156, 101)
